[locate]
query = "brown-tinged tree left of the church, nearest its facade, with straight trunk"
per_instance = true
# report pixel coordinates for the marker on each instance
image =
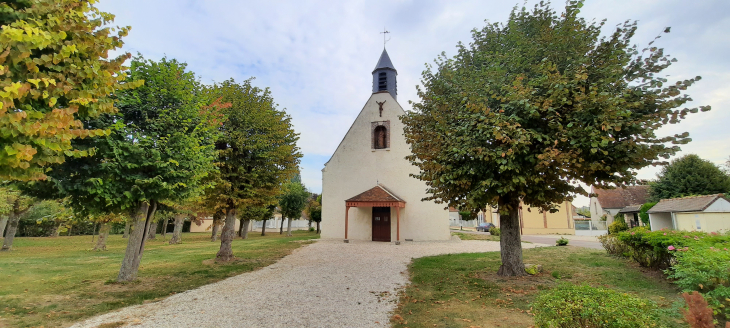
(257, 152)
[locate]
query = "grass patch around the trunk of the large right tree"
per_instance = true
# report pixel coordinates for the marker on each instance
(463, 290)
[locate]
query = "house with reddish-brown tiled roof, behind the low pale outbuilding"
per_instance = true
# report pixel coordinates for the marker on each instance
(610, 202)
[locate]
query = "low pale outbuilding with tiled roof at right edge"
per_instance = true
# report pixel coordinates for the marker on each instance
(709, 213)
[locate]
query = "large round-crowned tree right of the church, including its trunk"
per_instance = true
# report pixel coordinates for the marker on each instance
(533, 106)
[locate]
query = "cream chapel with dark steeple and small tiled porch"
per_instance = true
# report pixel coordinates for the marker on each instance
(367, 193)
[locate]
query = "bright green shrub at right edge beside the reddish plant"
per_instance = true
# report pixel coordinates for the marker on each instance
(705, 269)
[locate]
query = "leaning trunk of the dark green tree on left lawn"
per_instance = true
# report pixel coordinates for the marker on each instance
(135, 246)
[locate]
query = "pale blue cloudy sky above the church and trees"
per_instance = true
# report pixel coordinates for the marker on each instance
(317, 56)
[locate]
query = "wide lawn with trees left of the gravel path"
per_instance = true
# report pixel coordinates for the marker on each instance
(55, 281)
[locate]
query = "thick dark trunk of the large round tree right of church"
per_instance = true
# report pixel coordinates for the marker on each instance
(510, 241)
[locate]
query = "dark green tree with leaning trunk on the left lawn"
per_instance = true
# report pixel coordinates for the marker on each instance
(161, 149)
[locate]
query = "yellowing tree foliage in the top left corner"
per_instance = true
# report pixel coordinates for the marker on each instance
(54, 73)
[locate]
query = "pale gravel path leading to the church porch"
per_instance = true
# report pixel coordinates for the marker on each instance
(325, 284)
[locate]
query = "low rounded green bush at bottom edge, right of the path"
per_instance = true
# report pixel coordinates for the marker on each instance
(583, 306)
